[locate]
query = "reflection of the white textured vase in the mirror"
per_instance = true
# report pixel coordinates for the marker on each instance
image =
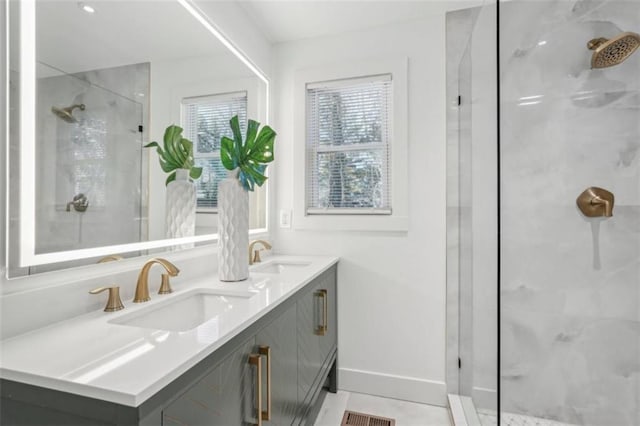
(181, 206)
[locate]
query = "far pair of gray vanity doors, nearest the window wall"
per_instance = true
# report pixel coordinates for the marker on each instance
(317, 335)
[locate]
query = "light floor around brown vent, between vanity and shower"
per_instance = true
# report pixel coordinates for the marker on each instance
(405, 413)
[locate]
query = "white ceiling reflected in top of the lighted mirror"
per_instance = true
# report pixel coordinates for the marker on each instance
(118, 33)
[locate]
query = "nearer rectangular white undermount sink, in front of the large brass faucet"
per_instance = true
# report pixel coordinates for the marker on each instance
(186, 311)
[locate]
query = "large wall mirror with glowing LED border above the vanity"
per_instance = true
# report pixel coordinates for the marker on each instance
(91, 83)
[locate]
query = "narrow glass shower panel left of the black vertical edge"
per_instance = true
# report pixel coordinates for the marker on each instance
(472, 207)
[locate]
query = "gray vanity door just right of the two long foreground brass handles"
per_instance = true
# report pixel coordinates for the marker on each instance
(281, 339)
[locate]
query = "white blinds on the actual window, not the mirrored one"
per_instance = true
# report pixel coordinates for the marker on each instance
(348, 146)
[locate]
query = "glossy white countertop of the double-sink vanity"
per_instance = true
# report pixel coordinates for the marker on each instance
(91, 356)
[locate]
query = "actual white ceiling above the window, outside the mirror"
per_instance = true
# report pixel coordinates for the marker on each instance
(287, 20)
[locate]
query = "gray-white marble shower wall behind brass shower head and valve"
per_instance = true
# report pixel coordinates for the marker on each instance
(570, 286)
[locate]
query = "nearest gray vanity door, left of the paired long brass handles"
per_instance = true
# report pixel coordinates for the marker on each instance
(225, 396)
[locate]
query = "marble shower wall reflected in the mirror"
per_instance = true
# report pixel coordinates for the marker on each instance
(100, 155)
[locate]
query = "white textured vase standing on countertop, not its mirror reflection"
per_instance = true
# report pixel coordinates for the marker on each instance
(233, 229)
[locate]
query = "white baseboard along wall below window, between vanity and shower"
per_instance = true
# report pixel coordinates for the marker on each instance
(391, 386)
